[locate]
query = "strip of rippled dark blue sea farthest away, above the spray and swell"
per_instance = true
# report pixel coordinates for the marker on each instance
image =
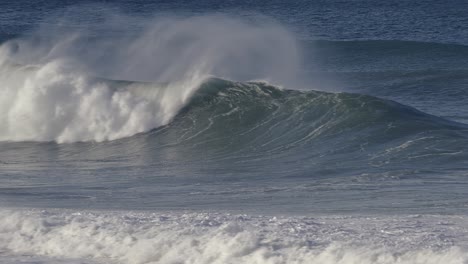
(428, 21)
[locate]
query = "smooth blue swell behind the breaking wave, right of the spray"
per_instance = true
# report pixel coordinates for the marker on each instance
(419, 74)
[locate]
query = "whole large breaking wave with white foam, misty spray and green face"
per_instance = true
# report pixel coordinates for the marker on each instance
(171, 76)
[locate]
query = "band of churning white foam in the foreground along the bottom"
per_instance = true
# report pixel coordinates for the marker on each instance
(126, 237)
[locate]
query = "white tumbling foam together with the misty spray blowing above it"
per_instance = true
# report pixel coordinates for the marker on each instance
(49, 90)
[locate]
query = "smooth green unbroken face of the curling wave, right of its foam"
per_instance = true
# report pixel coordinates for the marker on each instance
(268, 118)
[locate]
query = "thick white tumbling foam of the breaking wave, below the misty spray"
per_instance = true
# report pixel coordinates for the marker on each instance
(53, 103)
